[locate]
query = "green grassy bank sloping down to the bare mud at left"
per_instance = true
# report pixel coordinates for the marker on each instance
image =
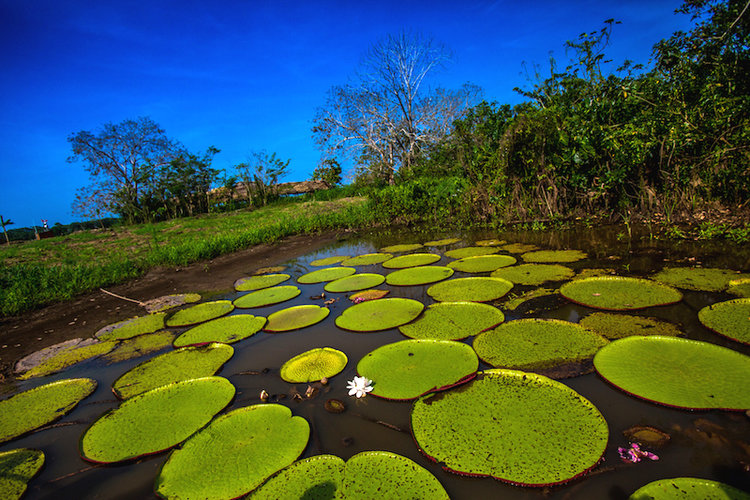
(37, 273)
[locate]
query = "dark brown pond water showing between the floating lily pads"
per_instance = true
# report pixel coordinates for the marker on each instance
(706, 444)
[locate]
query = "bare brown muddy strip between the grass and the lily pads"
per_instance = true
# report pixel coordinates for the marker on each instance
(85, 315)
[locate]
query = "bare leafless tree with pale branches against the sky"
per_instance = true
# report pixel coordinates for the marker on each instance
(388, 115)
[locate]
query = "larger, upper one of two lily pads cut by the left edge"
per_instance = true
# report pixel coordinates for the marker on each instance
(36, 407)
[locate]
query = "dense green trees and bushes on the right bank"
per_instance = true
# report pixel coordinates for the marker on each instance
(660, 141)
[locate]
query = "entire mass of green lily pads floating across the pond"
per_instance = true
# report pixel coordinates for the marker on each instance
(511, 421)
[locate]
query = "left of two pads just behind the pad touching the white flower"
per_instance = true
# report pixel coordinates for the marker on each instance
(382, 314)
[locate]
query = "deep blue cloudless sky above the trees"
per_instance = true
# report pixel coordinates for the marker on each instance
(246, 76)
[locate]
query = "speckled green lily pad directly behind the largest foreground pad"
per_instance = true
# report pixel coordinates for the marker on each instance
(547, 346)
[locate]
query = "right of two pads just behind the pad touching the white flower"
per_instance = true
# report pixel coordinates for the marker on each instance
(453, 321)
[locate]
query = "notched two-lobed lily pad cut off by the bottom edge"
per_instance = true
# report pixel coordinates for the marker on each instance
(370, 474)
